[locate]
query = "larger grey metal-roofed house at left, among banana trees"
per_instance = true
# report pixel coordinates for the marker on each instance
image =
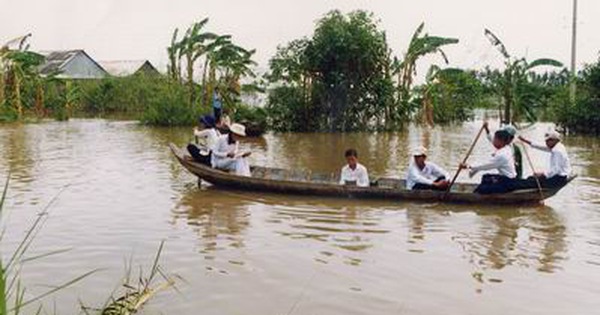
(71, 64)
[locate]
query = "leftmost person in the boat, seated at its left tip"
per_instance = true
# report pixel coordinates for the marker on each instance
(206, 140)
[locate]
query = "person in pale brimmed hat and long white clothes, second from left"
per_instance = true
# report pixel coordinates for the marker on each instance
(227, 156)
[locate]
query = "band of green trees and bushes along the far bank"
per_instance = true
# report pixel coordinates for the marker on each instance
(343, 77)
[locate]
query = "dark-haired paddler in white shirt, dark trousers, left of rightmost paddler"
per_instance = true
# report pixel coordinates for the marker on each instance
(502, 161)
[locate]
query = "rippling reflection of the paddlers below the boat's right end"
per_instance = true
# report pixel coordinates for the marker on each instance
(529, 238)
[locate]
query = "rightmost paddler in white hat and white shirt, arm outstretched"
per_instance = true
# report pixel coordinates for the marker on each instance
(560, 165)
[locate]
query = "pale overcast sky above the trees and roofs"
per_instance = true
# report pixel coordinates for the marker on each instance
(138, 29)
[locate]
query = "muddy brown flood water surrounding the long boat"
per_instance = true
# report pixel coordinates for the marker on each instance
(115, 192)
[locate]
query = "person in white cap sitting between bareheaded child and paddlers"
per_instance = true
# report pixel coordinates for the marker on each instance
(424, 175)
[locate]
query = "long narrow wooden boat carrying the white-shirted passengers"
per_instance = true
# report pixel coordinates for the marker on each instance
(303, 182)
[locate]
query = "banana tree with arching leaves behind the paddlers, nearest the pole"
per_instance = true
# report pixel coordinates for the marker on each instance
(511, 84)
